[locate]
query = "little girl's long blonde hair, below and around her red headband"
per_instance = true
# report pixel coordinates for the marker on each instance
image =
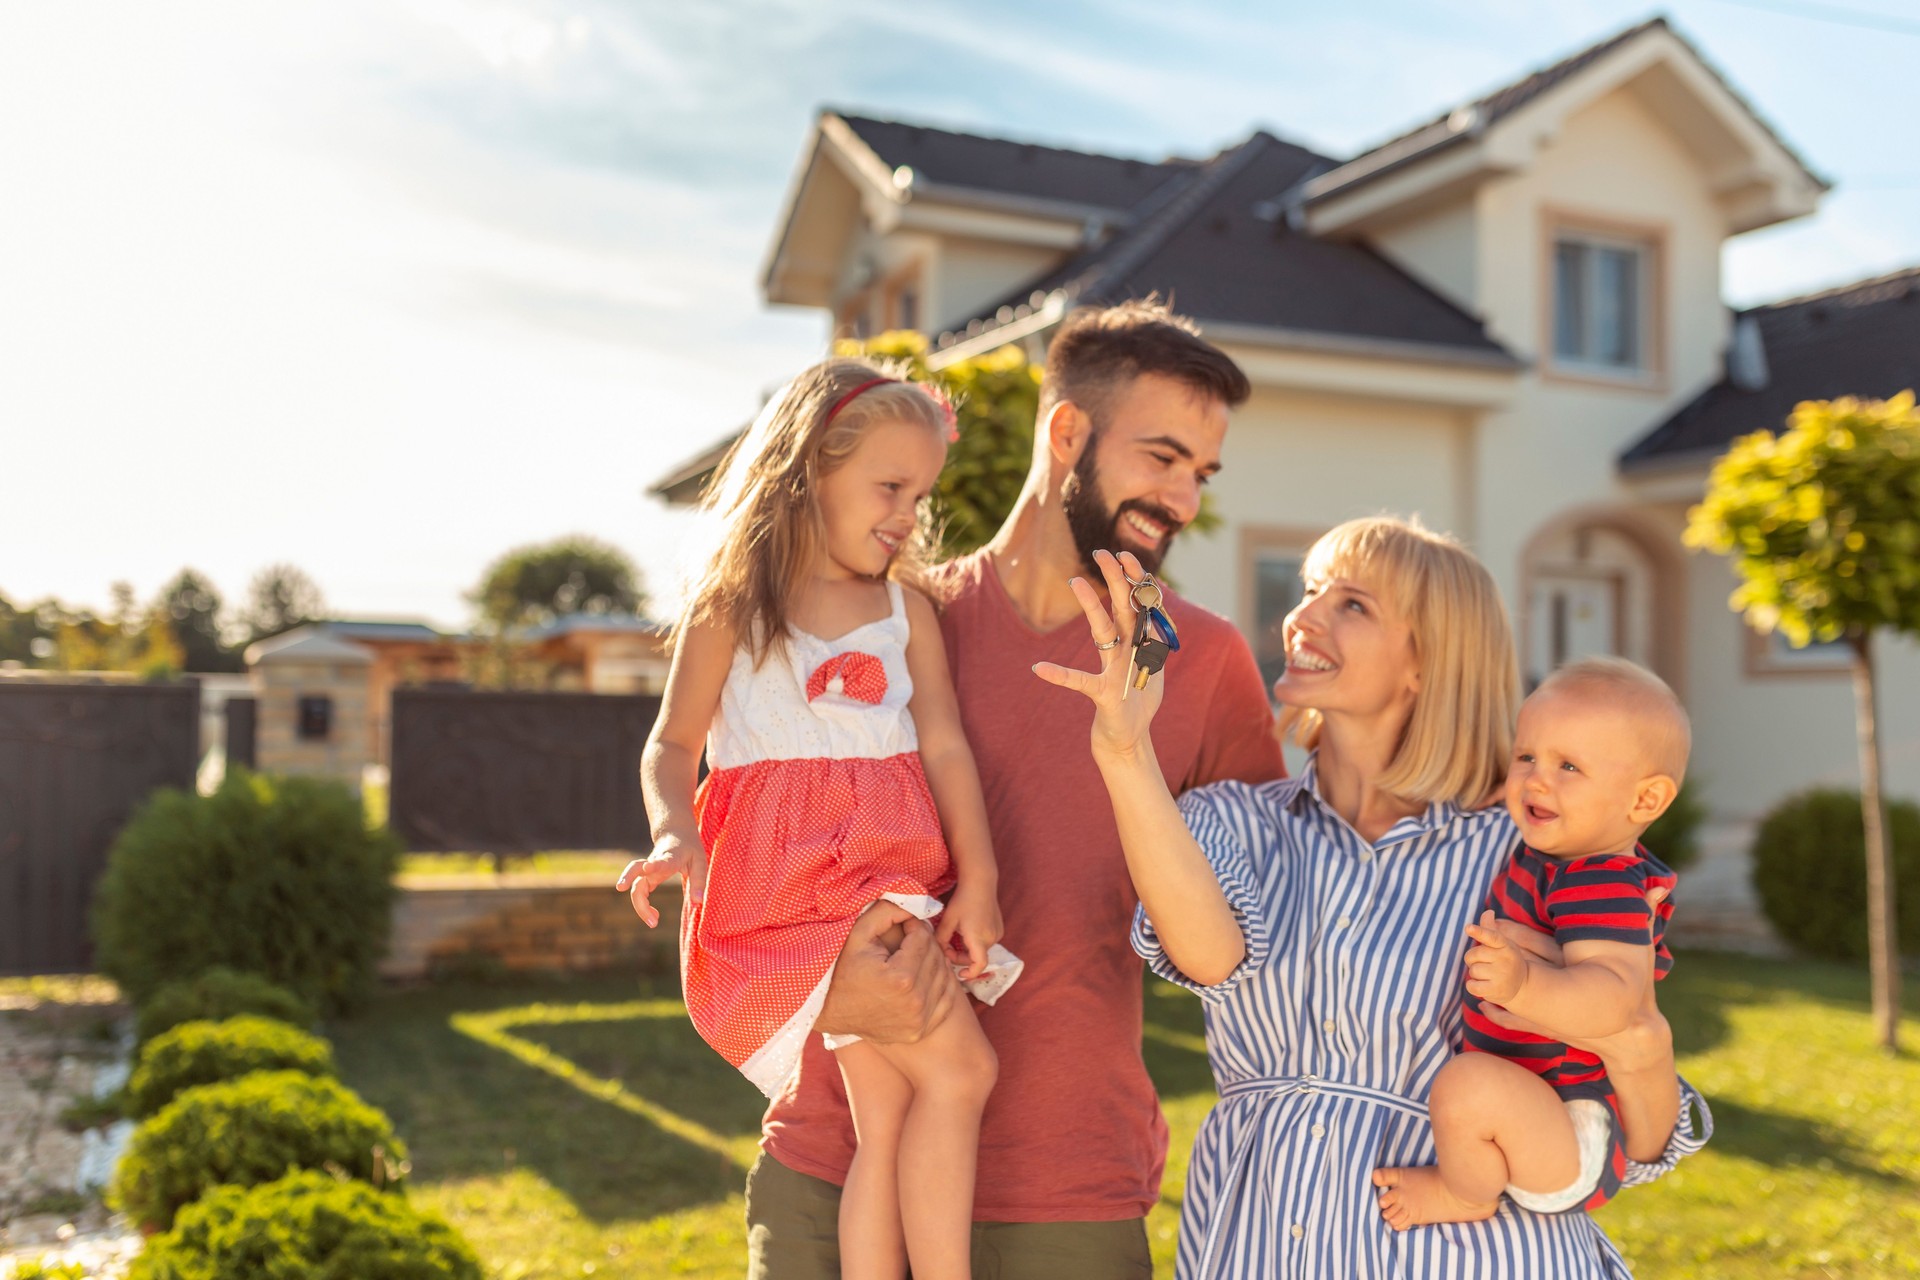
(769, 494)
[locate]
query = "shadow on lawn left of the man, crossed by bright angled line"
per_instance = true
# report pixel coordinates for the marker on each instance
(612, 1101)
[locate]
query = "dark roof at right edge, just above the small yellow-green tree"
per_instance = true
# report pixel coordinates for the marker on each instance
(1856, 341)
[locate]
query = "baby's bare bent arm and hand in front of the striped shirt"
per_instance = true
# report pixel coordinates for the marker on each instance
(1596, 993)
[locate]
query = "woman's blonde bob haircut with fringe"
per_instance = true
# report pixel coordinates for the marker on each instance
(1460, 738)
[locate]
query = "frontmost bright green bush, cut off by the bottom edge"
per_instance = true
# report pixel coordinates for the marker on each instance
(306, 1227)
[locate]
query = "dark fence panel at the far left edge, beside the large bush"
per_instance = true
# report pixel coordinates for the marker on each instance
(74, 765)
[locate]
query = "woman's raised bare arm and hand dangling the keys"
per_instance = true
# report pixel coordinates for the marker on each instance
(1172, 876)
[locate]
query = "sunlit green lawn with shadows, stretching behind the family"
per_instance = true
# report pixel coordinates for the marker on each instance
(585, 1129)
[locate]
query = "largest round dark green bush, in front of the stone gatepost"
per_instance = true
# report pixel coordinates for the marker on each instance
(272, 876)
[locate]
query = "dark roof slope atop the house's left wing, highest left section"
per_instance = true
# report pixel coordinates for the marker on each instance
(1007, 168)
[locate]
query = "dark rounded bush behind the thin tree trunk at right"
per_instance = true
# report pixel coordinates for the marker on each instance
(1810, 870)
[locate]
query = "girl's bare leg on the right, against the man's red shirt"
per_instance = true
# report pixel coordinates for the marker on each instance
(951, 1072)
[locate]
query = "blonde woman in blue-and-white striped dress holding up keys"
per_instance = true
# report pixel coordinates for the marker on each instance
(1322, 922)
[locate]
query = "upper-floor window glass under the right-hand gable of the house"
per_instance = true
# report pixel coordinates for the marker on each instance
(1602, 302)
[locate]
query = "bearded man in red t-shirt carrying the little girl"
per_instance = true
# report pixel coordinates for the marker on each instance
(1132, 419)
